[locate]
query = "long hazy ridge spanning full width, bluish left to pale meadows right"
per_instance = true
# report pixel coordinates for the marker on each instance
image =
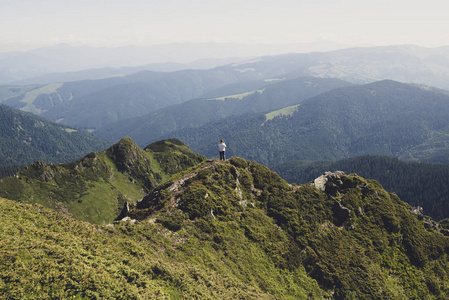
(94, 104)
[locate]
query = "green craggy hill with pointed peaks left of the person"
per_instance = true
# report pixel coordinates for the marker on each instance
(97, 187)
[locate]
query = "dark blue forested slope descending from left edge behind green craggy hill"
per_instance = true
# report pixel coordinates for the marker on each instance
(26, 138)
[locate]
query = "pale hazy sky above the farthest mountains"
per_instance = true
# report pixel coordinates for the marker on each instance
(26, 24)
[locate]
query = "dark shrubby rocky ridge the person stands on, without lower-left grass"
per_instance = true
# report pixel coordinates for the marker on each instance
(353, 237)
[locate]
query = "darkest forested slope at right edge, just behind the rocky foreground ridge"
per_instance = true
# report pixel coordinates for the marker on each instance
(418, 184)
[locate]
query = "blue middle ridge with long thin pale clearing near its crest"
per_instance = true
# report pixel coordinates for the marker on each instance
(194, 113)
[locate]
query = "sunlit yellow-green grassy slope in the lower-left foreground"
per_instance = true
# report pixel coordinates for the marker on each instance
(47, 255)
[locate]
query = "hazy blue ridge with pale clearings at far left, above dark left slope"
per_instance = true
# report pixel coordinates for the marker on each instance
(91, 104)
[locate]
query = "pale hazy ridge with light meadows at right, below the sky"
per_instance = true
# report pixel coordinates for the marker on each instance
(408, 64)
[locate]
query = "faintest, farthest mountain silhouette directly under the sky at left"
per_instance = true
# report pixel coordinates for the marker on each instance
(16, 66)
